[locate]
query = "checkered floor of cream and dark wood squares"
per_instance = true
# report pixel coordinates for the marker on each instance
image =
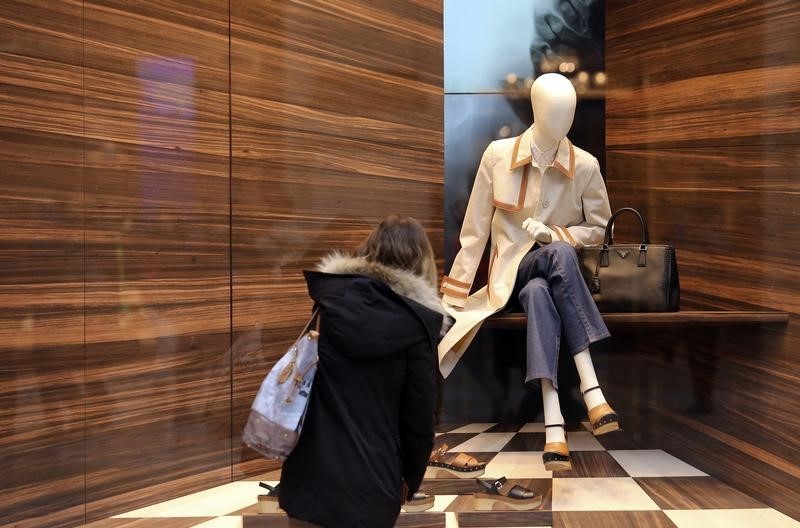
(609, 485)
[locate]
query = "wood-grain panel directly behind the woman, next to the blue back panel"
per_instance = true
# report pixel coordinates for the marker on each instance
(336, 123)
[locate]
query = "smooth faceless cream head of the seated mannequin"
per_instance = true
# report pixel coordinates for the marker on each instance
(553, 99)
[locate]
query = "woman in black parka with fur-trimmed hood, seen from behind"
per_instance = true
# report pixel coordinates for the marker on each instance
(368, 431)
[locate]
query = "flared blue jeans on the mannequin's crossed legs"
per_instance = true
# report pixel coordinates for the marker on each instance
(553, 294)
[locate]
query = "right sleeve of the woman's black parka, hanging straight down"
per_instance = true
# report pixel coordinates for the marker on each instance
(417, 414)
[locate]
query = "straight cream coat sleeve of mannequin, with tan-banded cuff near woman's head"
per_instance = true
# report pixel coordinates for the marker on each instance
(475, 233)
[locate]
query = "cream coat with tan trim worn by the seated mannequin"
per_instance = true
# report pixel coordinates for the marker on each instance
(569, 197)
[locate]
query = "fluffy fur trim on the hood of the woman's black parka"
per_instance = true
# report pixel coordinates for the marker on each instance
(402, 282)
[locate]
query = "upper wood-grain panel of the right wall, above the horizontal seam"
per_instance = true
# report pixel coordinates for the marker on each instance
(686, 73)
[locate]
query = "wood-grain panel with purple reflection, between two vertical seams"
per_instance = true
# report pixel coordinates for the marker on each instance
(157, 252)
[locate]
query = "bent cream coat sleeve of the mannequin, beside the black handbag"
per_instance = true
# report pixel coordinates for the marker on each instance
(596, 212)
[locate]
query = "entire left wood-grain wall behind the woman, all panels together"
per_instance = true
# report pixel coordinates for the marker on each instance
(167, 170)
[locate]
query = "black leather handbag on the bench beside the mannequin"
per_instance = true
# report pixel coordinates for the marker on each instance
(631, 277)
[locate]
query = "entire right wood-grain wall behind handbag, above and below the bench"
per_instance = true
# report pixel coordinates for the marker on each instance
(703, 137)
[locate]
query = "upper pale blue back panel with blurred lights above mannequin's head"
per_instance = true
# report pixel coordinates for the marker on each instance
(491, 46)
